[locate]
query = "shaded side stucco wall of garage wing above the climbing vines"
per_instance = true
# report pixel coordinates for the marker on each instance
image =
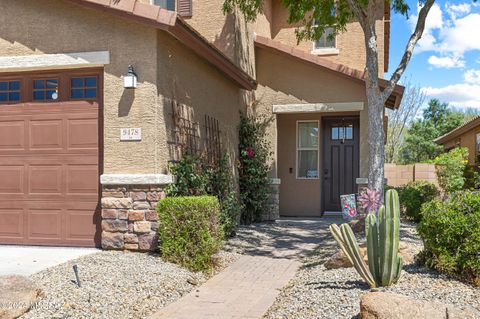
(195, 83)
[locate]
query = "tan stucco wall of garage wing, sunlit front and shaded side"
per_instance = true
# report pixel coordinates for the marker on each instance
(53, 26)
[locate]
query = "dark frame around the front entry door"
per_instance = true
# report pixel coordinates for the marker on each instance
(326, 132)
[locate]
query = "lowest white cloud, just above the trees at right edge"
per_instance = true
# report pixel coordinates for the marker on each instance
(458, 95)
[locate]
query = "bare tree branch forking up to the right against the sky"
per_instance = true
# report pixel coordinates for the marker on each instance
(407, 55)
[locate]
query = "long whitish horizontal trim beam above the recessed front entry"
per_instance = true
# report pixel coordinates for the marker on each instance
(318, 107)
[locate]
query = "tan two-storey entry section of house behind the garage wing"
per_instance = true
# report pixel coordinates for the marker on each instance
(316, 94)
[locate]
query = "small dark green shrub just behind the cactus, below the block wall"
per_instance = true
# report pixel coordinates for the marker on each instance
(413, 195)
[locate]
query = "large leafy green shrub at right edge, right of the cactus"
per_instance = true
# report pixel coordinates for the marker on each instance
(451, 233)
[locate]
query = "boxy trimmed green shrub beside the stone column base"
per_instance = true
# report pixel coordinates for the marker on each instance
(190, 231)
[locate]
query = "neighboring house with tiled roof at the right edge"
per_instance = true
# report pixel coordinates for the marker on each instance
(466, 135)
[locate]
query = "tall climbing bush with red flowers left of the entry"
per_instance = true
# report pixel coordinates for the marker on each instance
(253, 168)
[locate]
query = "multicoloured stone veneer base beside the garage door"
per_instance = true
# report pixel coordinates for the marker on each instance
(129, 216)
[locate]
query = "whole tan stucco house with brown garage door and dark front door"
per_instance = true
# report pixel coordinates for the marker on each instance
(98, 96)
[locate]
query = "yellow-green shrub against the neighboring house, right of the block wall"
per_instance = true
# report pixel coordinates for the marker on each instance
(451, 169)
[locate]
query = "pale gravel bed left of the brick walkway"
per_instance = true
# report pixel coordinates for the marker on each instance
(115, 285)
